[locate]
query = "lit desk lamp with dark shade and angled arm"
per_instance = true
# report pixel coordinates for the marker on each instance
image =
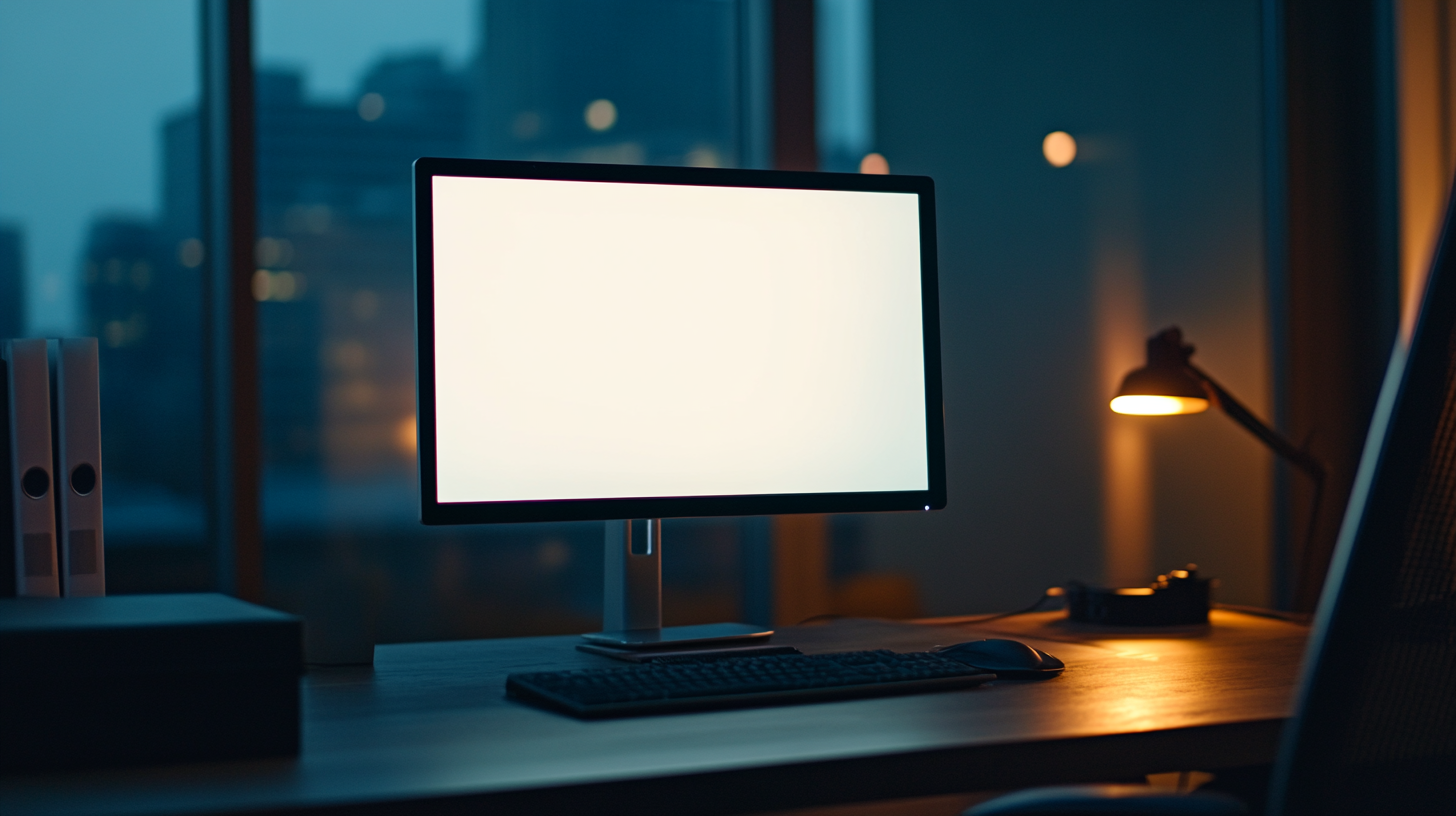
(1170, 384)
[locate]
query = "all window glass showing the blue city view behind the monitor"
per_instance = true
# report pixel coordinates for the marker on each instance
(103, 234)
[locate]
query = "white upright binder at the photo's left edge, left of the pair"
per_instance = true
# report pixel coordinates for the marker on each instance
(31, 531)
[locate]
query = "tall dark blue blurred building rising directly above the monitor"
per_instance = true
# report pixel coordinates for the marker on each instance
(638, 82)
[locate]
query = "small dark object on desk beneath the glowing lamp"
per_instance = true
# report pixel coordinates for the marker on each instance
(1177, 600)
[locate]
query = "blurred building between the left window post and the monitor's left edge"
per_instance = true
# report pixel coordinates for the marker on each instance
(336, 267)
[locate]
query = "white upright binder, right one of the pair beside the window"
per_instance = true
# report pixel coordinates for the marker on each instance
(76, 428)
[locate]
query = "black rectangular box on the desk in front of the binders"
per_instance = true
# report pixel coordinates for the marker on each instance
(136, 680)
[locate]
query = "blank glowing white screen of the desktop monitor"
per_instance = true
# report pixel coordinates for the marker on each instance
(625, 340)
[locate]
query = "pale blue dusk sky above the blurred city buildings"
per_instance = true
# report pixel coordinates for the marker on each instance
(123, 69)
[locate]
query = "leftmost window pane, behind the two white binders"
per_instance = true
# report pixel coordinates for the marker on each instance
(100, 237)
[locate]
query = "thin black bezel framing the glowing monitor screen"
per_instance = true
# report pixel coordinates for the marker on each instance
(435, 512)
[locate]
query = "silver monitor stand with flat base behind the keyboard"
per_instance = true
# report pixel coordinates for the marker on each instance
(633, 598)
